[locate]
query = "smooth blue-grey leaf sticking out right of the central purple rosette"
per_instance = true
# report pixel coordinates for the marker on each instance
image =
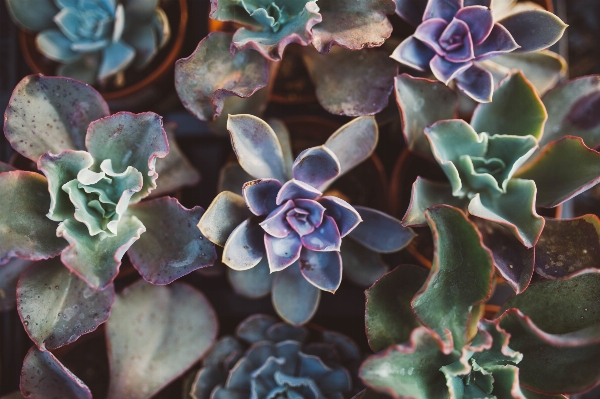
(380, 232)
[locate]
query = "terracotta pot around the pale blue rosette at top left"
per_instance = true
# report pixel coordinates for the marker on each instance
(143, 87)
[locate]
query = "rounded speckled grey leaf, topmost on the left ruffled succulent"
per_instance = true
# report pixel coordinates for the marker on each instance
(51, 114)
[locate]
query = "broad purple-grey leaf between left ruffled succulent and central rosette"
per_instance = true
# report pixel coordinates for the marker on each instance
(172, 245)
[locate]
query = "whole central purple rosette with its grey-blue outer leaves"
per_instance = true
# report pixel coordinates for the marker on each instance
(282, 233)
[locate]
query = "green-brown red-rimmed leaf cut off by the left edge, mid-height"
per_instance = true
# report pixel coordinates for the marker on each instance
(26, 231)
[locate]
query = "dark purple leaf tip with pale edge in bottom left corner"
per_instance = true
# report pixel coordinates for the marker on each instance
(43, 376)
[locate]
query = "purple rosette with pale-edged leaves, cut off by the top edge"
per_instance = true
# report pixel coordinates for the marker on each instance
(456, 39)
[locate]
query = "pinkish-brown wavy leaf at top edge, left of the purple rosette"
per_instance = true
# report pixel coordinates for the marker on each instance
(353, 25)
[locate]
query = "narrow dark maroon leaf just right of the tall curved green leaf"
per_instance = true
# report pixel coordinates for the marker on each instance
(514, 261)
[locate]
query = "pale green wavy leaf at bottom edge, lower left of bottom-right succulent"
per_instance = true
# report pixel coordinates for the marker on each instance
(412, 369)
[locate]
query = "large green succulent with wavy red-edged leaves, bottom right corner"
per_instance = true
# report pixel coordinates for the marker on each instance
(433, 343)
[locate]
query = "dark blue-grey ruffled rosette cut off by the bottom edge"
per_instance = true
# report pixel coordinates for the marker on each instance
(270, 359)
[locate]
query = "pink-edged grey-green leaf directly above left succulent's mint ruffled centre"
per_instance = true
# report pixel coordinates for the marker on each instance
(129, 140)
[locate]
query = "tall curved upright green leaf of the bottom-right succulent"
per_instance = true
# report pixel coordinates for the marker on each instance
(461, 275)
